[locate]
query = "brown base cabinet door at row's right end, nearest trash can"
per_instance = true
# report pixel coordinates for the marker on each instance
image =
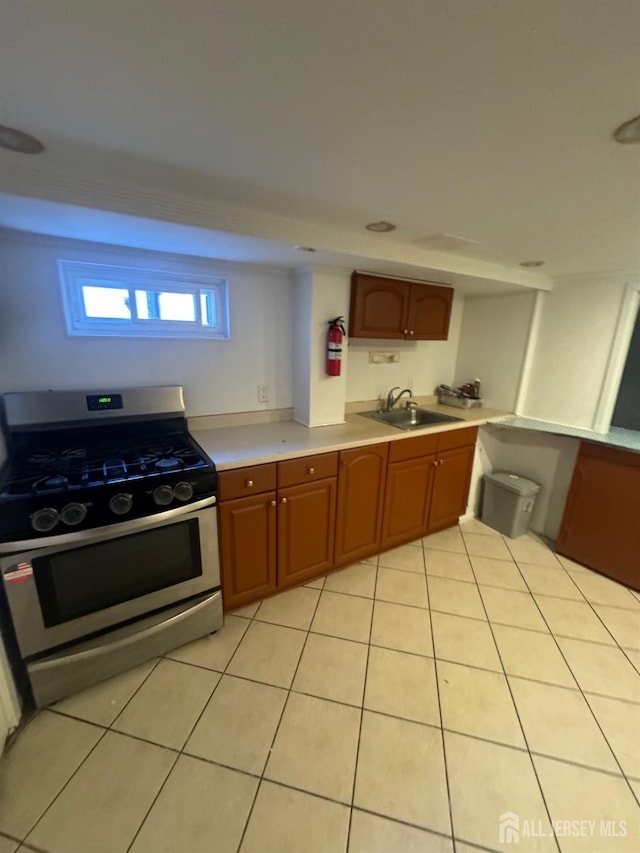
(452, 476)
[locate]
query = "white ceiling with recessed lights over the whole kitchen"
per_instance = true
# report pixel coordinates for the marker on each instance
(308, 118)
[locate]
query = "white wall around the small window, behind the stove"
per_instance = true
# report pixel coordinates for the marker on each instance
(218, 376)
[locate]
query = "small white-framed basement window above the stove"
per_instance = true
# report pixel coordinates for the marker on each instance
(129, 302)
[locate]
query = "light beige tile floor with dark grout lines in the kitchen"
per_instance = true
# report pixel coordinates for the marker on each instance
(403, 704)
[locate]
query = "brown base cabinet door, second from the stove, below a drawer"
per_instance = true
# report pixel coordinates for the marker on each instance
(306, 531)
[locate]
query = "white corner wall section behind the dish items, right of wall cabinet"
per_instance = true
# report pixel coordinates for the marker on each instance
(493, 341)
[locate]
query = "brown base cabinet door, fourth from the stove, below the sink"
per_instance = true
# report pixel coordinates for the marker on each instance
(407, 500)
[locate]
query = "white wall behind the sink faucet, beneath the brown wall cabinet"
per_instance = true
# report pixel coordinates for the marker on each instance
(423, 365)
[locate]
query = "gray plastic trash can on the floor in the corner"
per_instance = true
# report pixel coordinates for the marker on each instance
(508, 501)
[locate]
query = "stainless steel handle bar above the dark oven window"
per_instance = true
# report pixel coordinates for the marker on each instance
(108, 531)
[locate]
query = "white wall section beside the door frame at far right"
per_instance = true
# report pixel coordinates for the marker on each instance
(575, 336)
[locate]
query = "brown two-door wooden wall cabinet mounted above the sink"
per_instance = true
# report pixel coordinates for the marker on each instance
(398, 310)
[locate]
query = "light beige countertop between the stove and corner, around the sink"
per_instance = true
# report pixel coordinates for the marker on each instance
(237, 446)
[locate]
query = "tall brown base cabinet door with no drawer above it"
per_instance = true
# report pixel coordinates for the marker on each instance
(361, 483)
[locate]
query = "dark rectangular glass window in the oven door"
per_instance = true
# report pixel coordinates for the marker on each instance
(85, 580)
